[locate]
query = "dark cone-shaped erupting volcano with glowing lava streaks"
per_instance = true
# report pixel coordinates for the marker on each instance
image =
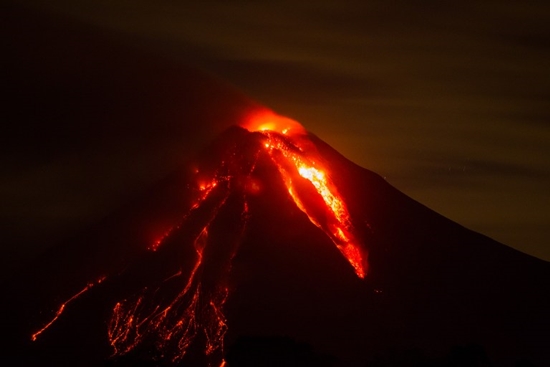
(269, 232)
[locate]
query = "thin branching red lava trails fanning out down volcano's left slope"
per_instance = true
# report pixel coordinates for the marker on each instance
(174, 324)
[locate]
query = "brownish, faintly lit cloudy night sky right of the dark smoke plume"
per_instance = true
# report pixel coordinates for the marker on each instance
(450, 103)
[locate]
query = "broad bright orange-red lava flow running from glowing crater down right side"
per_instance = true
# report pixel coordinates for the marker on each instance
(286, 144)
